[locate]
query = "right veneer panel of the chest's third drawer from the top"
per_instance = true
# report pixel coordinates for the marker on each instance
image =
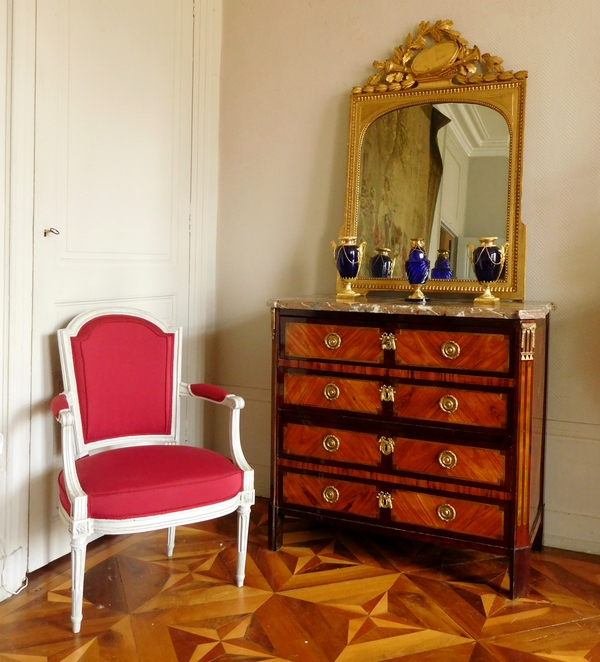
(479, 465)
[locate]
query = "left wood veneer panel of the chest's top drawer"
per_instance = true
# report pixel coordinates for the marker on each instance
(333, 341)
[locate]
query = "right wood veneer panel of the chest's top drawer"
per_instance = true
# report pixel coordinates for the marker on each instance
(488, 352)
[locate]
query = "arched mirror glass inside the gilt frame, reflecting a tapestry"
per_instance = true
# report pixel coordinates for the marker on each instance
(436, 171)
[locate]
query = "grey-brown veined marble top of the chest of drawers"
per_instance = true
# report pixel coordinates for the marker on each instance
(395, 305)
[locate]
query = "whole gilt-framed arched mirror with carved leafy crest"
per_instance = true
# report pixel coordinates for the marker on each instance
(435, 151)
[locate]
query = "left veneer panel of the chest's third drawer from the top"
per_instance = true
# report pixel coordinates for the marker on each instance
(331, 444)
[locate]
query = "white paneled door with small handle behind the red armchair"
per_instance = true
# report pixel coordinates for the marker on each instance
(112, 192)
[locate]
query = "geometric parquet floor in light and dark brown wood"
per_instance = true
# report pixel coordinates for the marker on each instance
(328, 595)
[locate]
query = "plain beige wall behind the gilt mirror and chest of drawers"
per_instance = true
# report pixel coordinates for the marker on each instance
(287, 69)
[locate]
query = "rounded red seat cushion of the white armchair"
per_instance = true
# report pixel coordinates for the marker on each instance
(153, 480)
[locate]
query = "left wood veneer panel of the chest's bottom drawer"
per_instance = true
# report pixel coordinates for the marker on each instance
(330, 494)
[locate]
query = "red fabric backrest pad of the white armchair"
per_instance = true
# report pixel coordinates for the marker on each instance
(124, 373)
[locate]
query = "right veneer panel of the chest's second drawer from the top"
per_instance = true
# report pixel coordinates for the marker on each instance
(447, 405)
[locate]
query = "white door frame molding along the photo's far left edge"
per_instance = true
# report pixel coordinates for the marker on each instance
(20, 65)
